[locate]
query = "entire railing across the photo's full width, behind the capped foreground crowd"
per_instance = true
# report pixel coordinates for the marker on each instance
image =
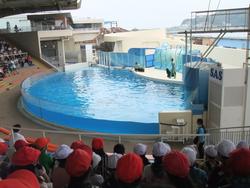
(59, 137)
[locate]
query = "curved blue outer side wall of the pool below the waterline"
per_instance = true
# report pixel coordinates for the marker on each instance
(88, 124)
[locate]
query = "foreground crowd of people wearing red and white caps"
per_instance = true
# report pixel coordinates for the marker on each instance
(79, 166)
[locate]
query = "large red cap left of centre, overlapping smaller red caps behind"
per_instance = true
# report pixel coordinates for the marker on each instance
(78, 163)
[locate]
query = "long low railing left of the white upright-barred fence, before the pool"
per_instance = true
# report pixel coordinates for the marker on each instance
(70, 136)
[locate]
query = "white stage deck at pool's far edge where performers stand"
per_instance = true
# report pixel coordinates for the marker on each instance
(160, 75)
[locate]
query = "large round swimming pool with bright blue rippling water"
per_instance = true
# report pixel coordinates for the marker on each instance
(102, 100)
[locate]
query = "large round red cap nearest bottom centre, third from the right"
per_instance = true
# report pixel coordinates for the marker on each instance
(129, 168)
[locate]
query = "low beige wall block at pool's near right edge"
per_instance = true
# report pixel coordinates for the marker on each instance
(169, 117)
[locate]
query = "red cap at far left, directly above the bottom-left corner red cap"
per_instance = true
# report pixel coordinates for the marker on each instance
(25, 156)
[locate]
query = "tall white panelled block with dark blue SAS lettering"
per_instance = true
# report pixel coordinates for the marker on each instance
(226, 98)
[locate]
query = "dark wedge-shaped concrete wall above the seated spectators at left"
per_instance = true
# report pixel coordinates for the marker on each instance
(27, 41)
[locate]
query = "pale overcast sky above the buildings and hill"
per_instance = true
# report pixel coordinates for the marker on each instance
(147, 14)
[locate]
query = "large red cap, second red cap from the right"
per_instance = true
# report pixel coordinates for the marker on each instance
(176, 163)
